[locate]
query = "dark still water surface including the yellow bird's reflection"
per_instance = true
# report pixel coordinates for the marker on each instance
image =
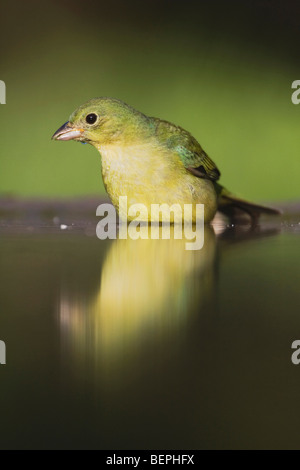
(142, 344)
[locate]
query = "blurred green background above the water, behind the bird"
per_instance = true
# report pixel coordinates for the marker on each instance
(222, 70)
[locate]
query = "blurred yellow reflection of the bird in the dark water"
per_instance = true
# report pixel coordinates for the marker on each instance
(148, 291)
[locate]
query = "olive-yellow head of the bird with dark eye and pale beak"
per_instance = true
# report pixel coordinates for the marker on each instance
(103, 121)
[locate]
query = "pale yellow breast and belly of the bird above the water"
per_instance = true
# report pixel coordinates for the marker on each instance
(150, 175)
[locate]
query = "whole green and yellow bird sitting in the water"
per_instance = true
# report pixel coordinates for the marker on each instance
(151, 161)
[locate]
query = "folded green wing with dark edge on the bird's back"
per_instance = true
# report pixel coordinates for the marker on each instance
(194, 158)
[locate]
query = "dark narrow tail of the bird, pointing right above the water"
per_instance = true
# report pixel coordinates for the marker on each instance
(232, 206)
